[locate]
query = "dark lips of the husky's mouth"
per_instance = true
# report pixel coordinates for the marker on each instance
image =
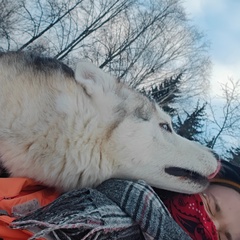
(186, 174)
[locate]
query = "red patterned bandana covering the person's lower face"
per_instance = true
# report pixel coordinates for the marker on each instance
(189, 212)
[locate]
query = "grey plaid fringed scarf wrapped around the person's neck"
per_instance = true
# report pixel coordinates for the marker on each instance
(116, 209)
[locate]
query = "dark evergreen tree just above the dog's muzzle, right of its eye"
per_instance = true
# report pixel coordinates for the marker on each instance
(191, 126)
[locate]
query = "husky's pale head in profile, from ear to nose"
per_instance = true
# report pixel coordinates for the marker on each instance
(139, 141)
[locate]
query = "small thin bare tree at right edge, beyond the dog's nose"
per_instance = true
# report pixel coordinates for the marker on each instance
(223, 127)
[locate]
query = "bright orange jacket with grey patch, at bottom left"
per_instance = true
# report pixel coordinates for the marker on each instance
(19, 196)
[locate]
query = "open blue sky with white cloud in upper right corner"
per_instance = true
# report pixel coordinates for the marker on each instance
(219, 20)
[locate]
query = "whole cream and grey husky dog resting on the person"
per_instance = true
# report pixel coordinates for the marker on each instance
(76, 129)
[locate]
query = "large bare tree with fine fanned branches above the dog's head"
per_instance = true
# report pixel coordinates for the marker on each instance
(150, 43)
